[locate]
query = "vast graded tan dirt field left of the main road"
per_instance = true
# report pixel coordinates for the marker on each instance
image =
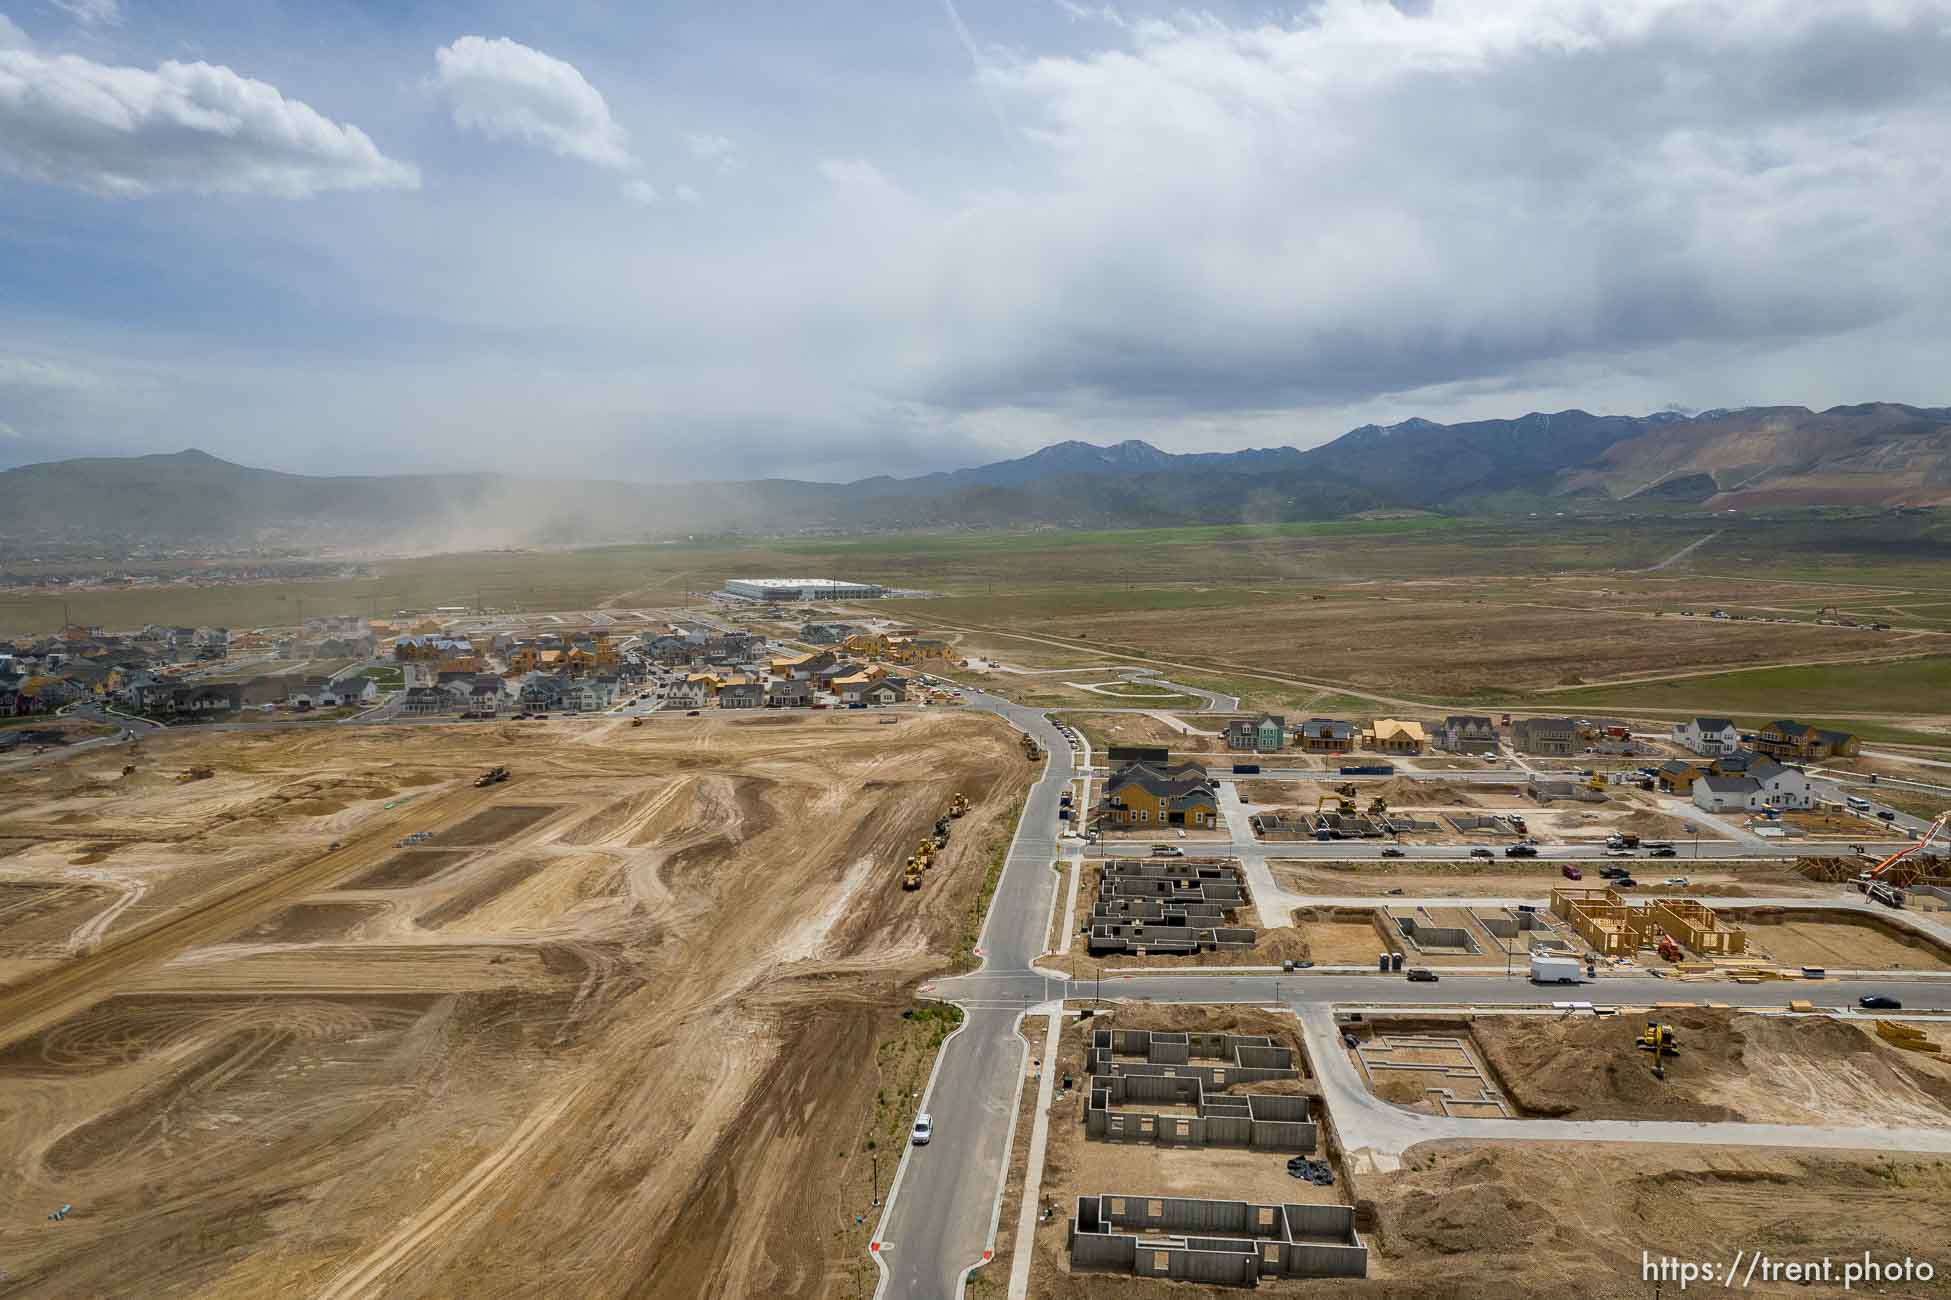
(307, 1073)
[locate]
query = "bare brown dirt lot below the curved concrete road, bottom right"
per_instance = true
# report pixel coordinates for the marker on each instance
(1546, 1221)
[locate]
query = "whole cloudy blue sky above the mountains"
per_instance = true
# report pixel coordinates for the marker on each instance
(703, 241)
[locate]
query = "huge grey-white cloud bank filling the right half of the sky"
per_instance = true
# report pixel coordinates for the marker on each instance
(1365, 202)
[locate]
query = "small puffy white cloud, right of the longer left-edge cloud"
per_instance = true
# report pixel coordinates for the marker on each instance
(514, 93)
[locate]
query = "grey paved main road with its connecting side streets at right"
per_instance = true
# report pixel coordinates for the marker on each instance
(945, 1203)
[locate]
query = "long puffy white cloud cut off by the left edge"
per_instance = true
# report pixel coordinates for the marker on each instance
(186, 126)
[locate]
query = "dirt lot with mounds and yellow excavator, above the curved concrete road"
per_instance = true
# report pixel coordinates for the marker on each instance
(1776, 1071)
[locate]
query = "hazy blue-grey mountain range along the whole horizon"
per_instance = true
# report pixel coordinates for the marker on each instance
(1755, 458)
